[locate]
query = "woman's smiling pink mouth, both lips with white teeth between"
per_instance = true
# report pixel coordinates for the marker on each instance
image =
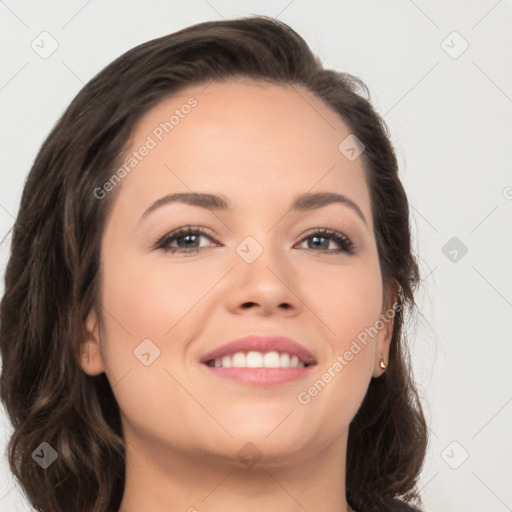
(260, 360)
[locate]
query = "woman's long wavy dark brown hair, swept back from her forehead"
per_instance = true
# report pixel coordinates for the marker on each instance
(51, 280)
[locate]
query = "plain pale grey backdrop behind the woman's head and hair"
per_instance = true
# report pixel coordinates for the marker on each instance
(440, 74)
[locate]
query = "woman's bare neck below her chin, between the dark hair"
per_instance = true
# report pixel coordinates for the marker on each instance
(169, 480)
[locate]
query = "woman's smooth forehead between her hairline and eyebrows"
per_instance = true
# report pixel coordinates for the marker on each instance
(243, 137)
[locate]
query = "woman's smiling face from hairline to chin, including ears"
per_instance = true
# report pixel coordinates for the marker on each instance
(256, 268)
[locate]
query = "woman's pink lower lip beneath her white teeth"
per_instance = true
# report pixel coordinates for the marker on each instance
(261, 376)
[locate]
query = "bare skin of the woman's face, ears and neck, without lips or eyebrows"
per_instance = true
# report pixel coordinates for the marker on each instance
(259, 146)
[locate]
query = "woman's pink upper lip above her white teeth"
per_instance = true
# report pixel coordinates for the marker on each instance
(261, 344)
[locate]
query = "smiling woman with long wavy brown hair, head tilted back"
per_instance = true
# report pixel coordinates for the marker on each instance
(204, 301)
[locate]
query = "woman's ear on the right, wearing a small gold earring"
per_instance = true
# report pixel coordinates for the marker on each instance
(385, 325)
